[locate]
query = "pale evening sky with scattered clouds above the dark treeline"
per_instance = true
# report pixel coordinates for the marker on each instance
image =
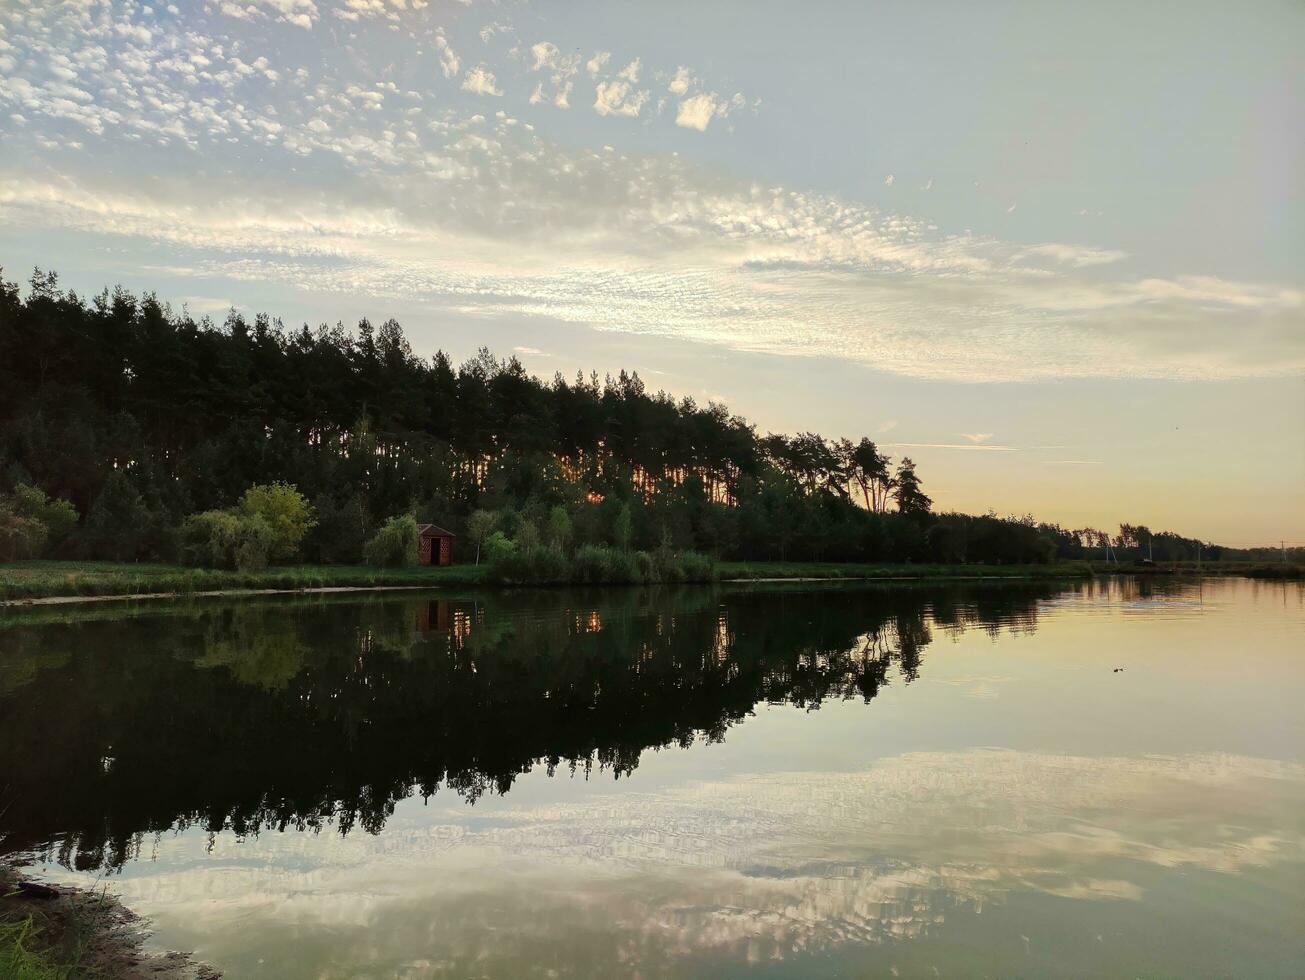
(1054, 253)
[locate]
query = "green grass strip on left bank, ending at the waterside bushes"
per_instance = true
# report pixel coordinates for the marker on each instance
(37, 580)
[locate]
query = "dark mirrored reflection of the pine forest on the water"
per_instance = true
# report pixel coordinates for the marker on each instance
(302, 714)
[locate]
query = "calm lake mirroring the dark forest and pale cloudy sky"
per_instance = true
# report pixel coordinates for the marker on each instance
(964, 780)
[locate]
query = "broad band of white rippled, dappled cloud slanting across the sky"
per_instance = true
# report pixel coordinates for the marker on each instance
(391, 191)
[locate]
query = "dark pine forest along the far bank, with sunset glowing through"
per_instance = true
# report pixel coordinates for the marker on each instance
(155, 427)
